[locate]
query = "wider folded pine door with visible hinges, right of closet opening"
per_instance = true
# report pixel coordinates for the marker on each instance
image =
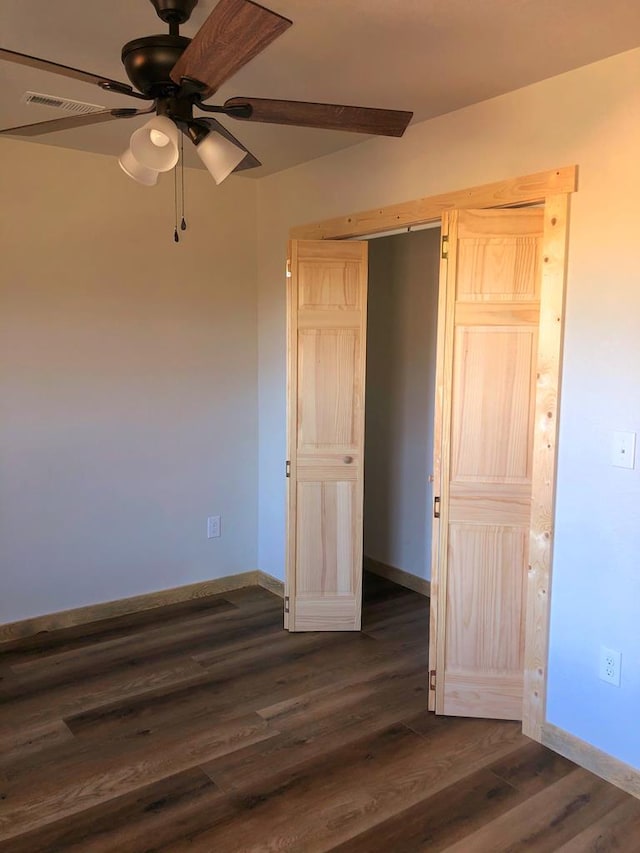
(487, 357)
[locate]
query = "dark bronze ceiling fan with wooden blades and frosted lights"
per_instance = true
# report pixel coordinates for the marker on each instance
(177, 74)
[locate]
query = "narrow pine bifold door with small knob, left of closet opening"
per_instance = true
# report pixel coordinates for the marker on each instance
(326, 343)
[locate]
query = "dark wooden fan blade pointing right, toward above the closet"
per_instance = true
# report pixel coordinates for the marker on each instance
(327, 116)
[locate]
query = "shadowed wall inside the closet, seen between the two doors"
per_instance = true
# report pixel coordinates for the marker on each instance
(401, 352)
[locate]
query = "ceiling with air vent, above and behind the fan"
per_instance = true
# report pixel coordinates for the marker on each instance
(428, 56)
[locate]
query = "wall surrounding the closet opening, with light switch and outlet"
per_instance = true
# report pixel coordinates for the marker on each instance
(590, 117)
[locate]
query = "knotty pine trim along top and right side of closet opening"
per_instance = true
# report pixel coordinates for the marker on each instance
(552, 188)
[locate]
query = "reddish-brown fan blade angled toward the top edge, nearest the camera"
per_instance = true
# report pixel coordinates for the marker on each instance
(235, 32)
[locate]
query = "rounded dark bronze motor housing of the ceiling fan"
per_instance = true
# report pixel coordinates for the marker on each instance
(148, 62)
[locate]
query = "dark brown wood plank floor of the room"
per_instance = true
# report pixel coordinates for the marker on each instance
(206, 727)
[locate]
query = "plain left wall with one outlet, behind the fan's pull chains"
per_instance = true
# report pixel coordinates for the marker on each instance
(128, 381)
